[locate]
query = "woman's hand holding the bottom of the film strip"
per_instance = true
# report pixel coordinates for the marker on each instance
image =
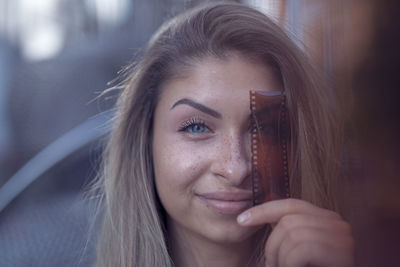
(302, 235)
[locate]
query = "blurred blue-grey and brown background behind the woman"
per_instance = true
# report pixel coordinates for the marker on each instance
(58, 56)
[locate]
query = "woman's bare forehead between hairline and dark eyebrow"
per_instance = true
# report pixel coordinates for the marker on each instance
(212, 79)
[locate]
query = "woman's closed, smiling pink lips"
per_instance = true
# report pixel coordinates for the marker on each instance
(229, 203)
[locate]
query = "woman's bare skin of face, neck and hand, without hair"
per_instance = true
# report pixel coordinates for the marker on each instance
(201, 153)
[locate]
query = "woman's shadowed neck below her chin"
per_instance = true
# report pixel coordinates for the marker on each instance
(188, 249)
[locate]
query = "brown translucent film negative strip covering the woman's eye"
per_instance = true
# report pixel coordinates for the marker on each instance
(269, 146)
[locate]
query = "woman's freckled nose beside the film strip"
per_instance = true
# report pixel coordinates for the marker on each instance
(232, 159)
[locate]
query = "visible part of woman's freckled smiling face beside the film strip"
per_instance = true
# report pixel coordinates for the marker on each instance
(201, 147)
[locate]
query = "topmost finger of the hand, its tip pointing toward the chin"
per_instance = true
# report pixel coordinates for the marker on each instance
(273, 211)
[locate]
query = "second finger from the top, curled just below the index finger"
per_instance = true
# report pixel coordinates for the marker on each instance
(293, 222)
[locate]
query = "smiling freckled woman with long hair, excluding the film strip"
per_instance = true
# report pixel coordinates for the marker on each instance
(177, 168)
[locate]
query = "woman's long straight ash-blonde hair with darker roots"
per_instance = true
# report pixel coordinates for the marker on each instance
(133, 231)
